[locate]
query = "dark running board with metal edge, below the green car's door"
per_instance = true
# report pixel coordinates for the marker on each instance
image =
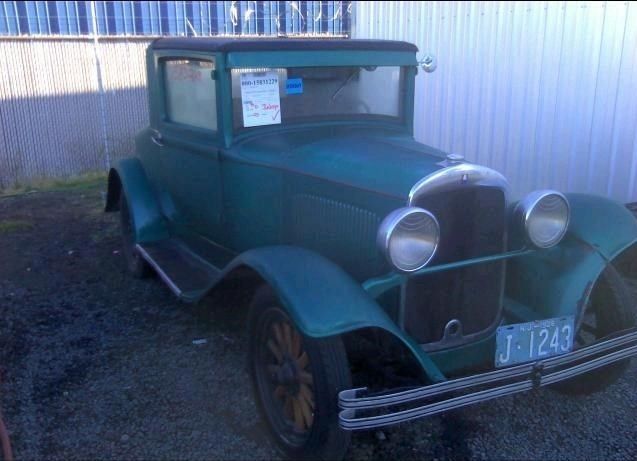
(185, 273)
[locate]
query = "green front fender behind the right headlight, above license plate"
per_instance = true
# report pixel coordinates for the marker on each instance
(558, 281)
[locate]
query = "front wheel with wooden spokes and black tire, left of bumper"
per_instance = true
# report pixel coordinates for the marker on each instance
(279, 375)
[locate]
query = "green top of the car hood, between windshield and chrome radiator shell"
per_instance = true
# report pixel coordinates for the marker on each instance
(367, 158)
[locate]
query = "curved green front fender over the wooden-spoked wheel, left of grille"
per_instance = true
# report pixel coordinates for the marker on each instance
(321, 298)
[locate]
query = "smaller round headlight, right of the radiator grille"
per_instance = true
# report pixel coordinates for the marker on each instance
(546, 215)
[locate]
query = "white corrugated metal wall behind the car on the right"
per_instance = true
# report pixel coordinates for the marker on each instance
(545, 92)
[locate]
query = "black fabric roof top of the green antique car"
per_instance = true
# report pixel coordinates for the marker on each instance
(278, 44)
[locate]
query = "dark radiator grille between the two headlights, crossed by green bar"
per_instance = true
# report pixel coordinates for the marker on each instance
(472, 224)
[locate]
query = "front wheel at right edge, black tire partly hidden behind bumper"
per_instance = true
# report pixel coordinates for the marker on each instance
(610, 309)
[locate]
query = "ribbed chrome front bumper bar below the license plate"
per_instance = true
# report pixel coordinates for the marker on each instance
(356, 406)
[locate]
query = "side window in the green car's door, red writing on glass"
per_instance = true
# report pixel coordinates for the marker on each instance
(190, 92)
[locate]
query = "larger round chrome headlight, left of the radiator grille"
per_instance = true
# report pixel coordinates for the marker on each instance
(408, 237)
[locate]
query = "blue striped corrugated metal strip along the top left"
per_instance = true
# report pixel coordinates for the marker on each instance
(175, 17)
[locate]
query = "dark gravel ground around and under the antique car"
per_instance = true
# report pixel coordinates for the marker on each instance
(96, 364)
